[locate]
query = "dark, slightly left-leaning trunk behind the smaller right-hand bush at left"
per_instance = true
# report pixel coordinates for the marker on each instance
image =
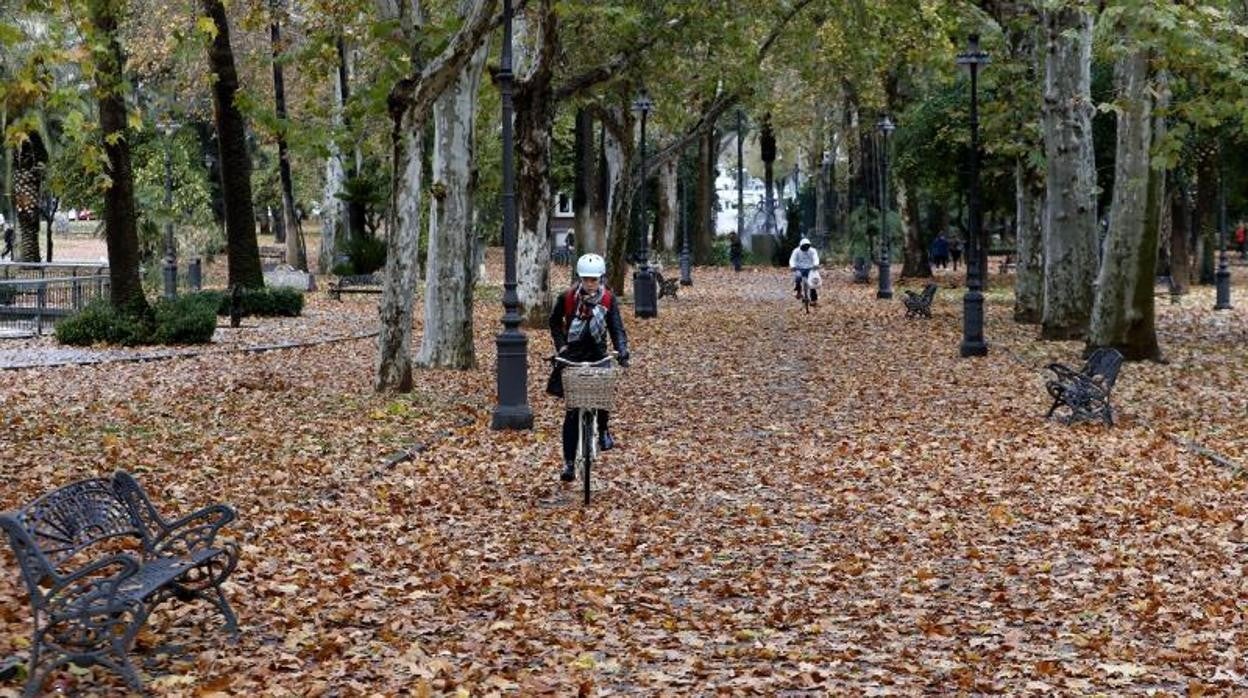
(241, 245)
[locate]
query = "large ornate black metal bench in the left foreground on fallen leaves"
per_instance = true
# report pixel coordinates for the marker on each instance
(98, 559)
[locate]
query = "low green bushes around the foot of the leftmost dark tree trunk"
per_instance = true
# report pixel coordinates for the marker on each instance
(188, 320)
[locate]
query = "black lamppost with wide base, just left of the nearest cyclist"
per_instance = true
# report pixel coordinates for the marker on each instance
(512, 411)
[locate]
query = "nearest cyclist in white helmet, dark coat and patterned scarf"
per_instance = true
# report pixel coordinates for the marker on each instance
(582, 320)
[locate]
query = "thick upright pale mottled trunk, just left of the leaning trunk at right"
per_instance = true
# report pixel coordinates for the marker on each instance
(1070, 208)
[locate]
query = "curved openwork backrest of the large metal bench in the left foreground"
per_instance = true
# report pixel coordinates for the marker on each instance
(61, 525)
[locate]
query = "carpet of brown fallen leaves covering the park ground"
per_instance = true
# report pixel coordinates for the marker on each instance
(826, 504)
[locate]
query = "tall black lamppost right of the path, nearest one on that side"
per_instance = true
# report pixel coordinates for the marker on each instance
(973, 303)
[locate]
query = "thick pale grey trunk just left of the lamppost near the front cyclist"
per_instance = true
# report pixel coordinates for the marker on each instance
(447, 339)
